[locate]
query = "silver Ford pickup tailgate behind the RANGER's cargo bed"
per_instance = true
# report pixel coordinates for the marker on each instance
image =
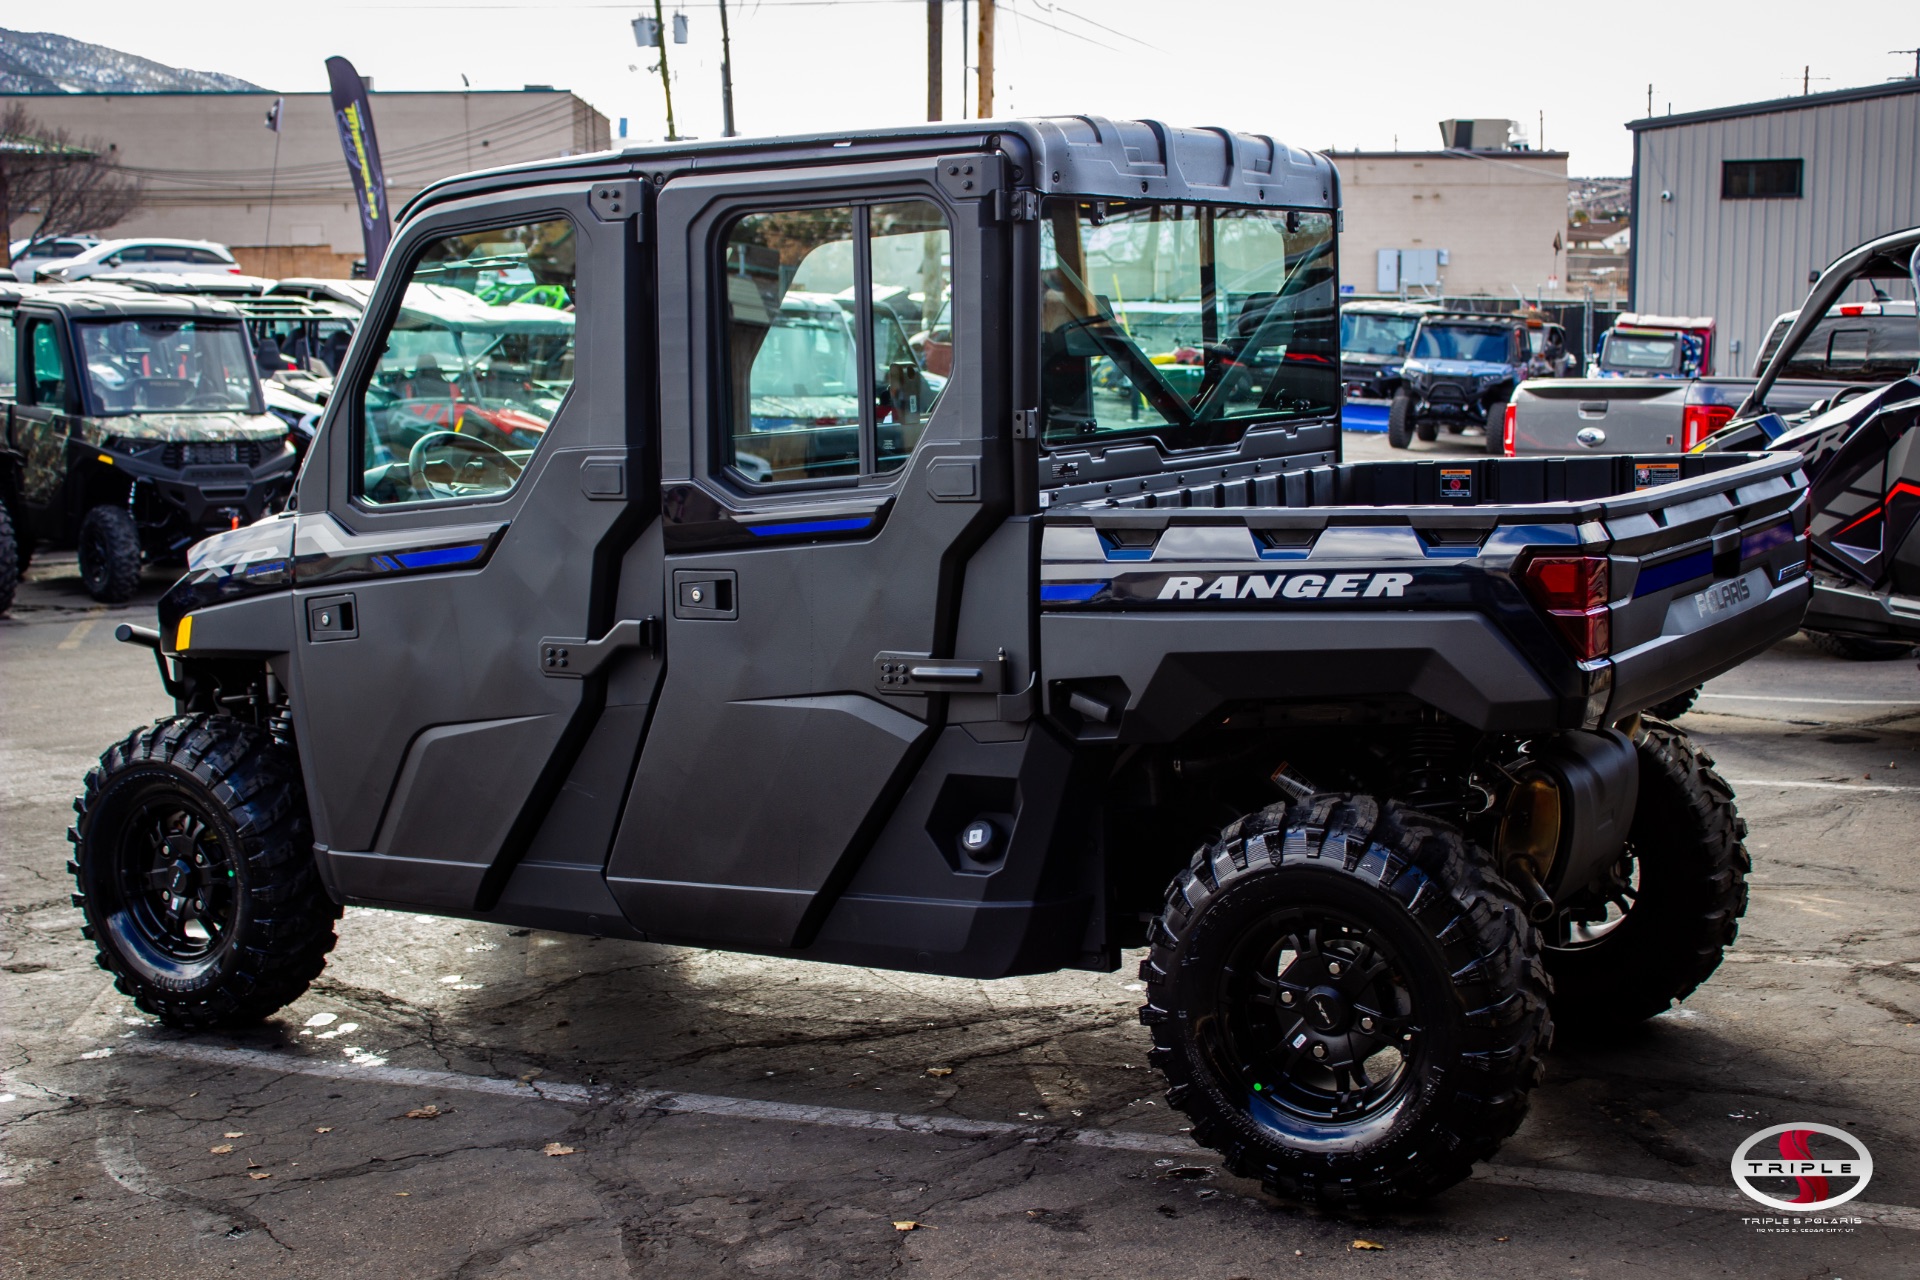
(1598, 415)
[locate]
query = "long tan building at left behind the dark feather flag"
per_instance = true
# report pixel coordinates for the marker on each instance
(206, 160)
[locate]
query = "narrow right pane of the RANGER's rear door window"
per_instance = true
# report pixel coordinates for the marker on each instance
(911, 275)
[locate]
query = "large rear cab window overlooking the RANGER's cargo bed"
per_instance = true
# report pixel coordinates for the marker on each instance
(1186, 323)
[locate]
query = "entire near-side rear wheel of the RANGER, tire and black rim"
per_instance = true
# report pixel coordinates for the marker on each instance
(1347, 1001)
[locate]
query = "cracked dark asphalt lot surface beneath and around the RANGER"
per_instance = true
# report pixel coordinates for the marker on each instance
(473, 1101)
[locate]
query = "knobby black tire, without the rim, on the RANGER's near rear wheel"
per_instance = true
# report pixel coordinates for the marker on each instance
(1464, 947)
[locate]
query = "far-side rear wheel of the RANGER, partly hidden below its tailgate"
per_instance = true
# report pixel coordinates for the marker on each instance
(1668, 913)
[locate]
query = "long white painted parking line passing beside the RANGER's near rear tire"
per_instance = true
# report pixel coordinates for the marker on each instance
(1525, 1177)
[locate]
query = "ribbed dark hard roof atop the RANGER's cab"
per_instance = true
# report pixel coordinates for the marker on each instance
(1068, 154)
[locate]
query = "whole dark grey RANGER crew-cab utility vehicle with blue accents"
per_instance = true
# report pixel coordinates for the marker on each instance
(756, 636)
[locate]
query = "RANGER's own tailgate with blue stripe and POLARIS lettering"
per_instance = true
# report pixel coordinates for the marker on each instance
(1702, 582)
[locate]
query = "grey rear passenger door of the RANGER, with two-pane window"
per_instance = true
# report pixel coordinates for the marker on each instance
(823, 490)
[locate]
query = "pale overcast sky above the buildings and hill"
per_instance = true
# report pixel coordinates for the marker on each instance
(1322, 76)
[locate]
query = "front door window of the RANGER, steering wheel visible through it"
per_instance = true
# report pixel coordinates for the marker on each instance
(473, 367)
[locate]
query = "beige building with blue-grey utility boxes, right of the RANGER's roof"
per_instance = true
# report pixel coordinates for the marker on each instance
(1456, 224)
